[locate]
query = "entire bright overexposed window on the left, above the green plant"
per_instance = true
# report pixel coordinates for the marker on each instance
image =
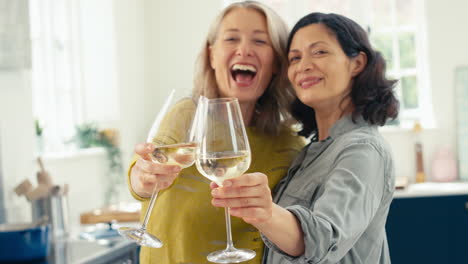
(73, 73)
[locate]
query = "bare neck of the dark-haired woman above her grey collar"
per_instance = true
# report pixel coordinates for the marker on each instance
(327, 118)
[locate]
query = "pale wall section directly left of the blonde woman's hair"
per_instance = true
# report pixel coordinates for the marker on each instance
(177, 31)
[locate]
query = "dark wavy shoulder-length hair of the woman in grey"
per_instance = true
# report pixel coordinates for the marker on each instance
(372, 94)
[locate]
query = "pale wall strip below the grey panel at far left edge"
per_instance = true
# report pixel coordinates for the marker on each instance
(16, 125)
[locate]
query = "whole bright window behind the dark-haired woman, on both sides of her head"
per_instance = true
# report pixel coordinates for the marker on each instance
(397, 29)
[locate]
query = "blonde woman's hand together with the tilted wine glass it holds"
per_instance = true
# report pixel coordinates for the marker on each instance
(170, 144)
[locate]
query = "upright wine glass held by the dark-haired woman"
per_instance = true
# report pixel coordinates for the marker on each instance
(223, 153)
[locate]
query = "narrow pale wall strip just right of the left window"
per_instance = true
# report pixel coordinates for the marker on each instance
(131, 56)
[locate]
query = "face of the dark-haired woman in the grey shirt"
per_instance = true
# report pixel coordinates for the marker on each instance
(319, 70)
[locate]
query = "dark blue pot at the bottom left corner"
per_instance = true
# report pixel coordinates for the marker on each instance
(21, 242)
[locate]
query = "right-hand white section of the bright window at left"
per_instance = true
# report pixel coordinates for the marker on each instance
(98, 60)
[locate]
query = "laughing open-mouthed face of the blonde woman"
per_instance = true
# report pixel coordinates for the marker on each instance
(242, 55)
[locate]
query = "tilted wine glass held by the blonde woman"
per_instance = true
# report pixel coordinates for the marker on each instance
(174, 138)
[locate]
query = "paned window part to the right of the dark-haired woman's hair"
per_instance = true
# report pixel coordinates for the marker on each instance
(398, 32)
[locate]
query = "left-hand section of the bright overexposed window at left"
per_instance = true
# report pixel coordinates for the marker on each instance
(55, 70)
